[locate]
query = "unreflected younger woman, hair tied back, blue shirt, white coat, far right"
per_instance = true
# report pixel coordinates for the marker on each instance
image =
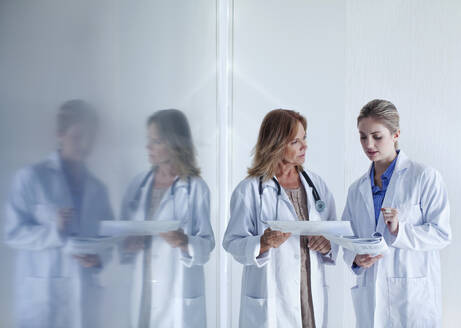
(408, 204)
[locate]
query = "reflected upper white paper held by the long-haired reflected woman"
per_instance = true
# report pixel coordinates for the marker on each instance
(136, 228)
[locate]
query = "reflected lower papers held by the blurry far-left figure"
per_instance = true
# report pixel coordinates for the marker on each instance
(88, 245)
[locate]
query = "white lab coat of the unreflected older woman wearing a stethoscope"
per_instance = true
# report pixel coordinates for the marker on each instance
(271, 282)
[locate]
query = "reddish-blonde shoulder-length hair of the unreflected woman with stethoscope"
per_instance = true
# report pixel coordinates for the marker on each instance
(278, 128)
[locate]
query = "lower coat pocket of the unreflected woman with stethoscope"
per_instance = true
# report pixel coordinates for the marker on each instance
(254, 312)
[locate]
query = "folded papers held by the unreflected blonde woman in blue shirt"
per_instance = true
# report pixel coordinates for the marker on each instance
(374, 245)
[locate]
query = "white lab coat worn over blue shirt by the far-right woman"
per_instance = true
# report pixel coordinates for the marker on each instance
(403, 288)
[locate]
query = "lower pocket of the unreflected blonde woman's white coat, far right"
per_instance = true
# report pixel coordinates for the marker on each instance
(411, 303)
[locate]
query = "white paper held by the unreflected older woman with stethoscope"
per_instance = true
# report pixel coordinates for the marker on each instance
(312, 228)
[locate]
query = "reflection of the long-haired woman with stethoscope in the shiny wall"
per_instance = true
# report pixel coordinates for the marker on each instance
(168, 282)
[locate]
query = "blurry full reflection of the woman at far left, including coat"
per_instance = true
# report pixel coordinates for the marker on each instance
(52, 201)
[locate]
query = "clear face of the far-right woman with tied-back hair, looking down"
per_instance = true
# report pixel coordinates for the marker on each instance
(377, 141)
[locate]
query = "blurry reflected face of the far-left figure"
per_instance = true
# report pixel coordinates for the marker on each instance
(76, 143)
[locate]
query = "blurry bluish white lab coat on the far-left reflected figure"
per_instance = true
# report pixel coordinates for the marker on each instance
(53, 290)
